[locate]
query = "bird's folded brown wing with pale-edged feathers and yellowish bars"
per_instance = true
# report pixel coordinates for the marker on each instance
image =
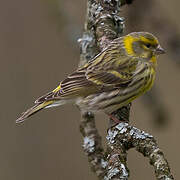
(83, 83)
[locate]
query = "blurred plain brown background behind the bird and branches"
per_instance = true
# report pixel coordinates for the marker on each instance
(38, 48)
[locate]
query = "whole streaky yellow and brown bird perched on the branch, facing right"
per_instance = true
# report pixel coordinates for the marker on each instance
(120, 73)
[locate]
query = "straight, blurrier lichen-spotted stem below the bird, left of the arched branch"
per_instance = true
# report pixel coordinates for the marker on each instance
(92, 144)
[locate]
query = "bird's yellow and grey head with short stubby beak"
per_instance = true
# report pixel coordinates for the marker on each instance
(142, 45)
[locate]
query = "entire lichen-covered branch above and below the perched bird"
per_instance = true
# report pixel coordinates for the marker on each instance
(103, 24)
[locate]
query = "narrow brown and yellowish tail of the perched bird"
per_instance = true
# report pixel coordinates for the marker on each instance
(33, 110)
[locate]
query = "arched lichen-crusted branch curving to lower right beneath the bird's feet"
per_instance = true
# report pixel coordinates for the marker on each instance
(123, 137)
